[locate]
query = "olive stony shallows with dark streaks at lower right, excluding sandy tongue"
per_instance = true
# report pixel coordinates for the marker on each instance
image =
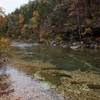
(75, 85)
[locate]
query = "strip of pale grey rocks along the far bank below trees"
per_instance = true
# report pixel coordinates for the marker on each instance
(76, 45)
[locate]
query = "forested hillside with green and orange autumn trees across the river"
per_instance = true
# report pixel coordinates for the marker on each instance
(59, 20)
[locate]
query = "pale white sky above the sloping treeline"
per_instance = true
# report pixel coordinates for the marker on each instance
(11, 5)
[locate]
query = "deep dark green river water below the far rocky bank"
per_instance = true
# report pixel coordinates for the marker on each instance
(63, 58)
